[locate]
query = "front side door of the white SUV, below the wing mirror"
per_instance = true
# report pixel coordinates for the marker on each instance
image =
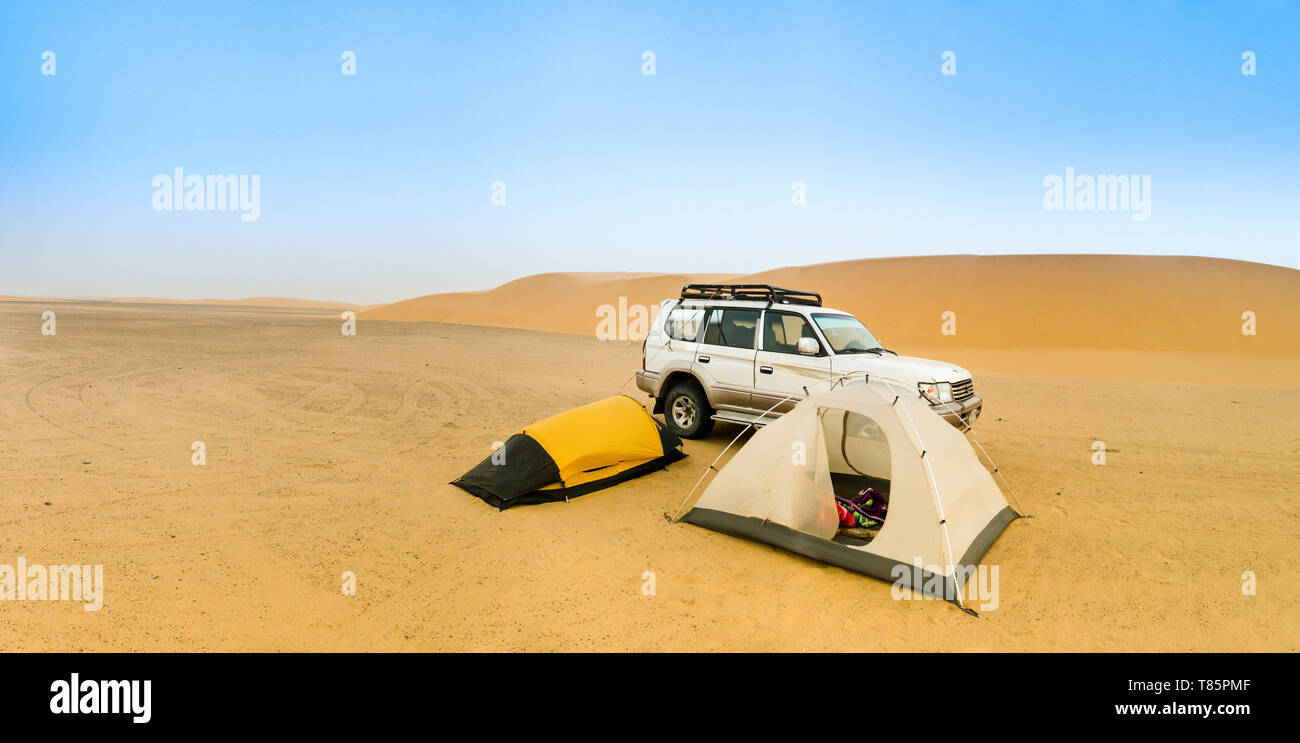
(781, 370)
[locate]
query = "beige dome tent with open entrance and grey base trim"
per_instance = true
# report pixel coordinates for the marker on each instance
(944, 510)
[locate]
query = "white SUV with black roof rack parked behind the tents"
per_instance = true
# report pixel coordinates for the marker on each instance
(733, 353)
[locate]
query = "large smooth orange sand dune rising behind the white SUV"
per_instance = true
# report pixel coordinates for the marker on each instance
(1149, 303)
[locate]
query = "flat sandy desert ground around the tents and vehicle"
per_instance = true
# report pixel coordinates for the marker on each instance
(330, 454)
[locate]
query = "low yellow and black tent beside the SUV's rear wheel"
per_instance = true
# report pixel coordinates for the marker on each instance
(573, 454)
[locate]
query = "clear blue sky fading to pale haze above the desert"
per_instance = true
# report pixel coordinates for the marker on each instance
(378, 188)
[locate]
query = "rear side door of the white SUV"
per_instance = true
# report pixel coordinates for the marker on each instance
(725, 359)
